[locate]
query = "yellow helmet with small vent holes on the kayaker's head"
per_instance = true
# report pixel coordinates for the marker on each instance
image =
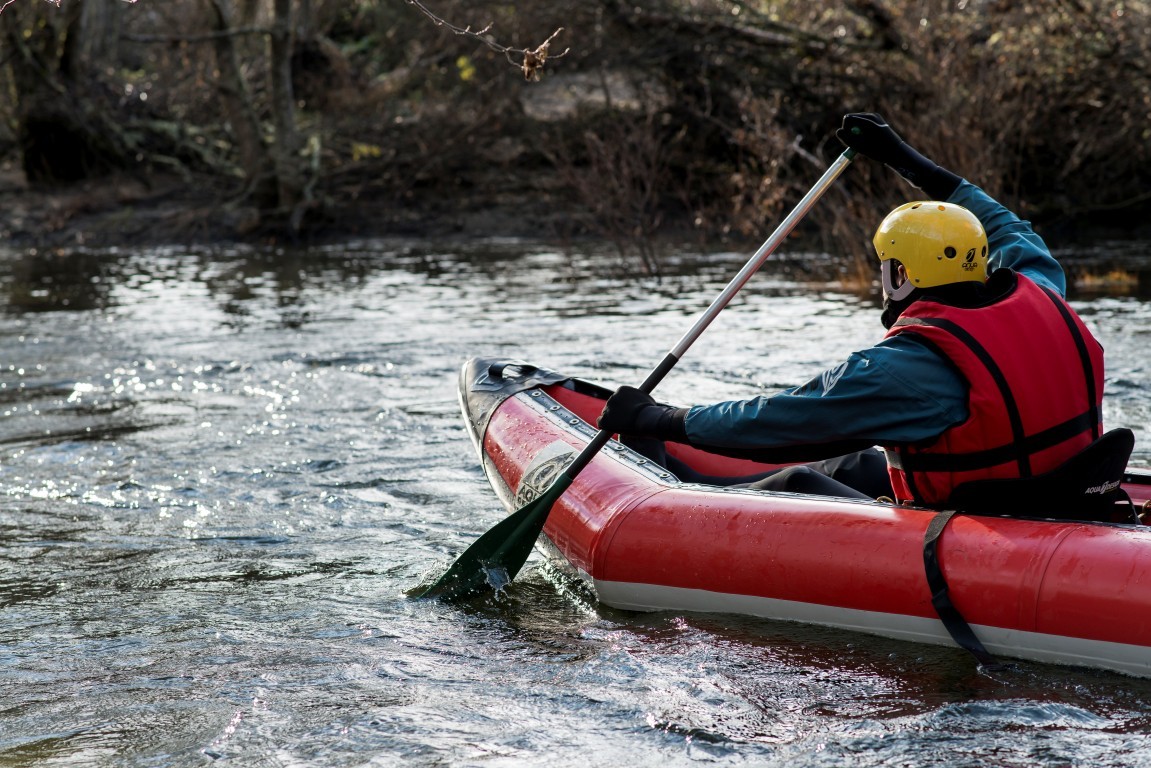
(937, 244)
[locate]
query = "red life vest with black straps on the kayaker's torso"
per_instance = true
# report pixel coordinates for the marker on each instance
(1035, 378)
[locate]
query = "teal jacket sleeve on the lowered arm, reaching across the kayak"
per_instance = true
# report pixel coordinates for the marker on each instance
(896, 392)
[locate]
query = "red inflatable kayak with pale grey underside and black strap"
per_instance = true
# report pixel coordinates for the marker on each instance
(1028, 588)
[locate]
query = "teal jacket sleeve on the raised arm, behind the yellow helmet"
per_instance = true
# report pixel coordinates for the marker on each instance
(1011, 241)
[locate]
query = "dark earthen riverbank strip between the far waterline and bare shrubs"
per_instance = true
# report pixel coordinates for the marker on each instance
(126, 212)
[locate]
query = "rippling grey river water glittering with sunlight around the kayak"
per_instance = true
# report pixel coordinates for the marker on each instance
(220, 470)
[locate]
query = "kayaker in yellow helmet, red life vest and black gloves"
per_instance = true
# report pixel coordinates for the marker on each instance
(985, 372)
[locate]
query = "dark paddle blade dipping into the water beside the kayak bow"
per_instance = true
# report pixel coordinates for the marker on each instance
(497, 557)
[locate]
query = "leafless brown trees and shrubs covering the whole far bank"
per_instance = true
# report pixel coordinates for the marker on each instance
(658, 118)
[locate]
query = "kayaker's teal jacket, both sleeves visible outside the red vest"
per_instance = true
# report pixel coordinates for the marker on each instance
(898, 391)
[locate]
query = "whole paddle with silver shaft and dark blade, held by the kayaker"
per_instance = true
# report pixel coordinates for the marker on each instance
(498, 556)
